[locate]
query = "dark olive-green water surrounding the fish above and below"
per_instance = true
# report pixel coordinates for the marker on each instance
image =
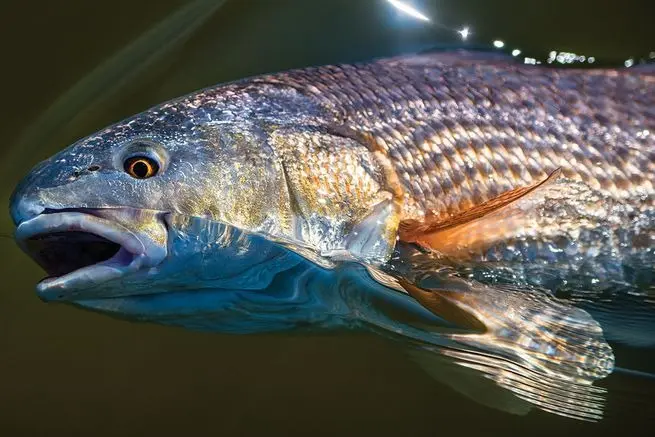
(68, 372)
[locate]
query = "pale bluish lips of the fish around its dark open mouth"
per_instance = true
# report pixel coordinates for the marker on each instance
(140, 251)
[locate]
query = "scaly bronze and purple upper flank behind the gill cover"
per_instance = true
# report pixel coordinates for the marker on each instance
(461, 131)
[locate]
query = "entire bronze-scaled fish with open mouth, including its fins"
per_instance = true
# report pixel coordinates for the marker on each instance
(317, 197)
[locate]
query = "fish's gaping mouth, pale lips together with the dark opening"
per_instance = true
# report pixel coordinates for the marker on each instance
(79, 250)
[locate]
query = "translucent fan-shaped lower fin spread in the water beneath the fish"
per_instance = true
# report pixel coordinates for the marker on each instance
(547, 352)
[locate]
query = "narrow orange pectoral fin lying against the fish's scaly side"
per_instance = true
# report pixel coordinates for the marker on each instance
(479, 227)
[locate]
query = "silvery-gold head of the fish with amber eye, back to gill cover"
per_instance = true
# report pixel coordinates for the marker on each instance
(100, 216)
